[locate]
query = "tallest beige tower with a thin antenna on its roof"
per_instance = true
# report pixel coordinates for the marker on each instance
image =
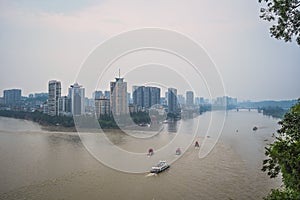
(118, 97)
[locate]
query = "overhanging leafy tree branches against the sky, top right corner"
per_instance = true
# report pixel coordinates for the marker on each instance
(287, 15)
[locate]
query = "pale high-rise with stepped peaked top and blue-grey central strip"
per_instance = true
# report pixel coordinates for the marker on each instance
(76, 94)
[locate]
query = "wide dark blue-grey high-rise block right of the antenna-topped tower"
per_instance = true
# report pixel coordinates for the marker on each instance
(145, 97)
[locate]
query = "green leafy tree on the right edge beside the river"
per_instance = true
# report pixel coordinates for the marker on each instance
(284, 156)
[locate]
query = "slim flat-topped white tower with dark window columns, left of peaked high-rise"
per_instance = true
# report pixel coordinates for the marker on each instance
(54, 94)
